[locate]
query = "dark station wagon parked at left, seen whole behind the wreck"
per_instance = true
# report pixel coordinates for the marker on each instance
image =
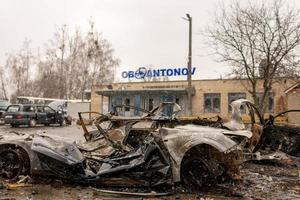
(31, 115)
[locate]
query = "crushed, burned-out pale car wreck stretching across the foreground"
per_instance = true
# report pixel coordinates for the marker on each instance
(147, 150)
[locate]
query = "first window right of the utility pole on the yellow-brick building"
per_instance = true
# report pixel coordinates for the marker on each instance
(212, 102)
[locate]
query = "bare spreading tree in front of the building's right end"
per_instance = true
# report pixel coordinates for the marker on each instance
(259, 41)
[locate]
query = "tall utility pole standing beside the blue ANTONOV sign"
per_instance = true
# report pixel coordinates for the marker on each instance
(190, 89)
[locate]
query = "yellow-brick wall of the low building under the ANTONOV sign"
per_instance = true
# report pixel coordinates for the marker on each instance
(201, 87)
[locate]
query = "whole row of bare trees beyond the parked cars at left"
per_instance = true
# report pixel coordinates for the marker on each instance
(68, 66)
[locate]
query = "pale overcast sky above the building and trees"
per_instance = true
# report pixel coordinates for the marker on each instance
(142, 32)
